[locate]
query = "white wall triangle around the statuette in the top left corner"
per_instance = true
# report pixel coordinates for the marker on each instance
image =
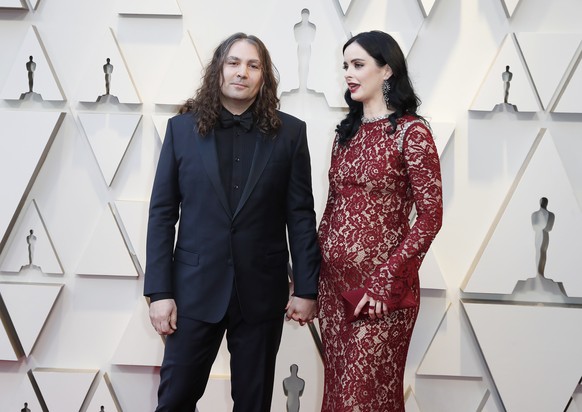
(45, 81)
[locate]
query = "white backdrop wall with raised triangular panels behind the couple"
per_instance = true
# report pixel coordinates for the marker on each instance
(77, 169)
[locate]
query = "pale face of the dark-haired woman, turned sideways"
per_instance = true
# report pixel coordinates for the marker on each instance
(363, 75)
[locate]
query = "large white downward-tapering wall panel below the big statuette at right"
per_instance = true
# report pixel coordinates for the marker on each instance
(517, 343)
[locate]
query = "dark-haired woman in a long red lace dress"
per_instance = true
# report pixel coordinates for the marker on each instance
(384, 162)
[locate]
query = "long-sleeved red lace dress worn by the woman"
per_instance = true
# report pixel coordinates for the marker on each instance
(367, 241)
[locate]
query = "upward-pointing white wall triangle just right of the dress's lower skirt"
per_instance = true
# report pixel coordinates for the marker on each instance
(451, 353)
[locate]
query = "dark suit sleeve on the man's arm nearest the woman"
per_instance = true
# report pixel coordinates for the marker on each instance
(301, 222)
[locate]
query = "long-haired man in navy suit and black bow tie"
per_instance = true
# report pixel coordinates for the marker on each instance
(236, 172)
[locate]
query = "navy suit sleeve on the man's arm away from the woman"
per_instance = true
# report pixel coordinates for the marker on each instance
(163, 215)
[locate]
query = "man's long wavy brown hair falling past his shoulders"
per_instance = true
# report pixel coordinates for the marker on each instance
(206, 104)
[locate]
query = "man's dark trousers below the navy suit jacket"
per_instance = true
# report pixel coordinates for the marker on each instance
(191, 350)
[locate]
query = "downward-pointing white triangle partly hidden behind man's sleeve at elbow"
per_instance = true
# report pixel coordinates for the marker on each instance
(133, 219)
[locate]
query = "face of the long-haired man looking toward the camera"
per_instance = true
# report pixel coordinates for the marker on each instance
(242, 77)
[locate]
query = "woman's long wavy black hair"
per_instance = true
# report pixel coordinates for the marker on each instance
(384, 50)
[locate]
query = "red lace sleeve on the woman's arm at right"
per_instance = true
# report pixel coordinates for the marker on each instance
(423, 170)
